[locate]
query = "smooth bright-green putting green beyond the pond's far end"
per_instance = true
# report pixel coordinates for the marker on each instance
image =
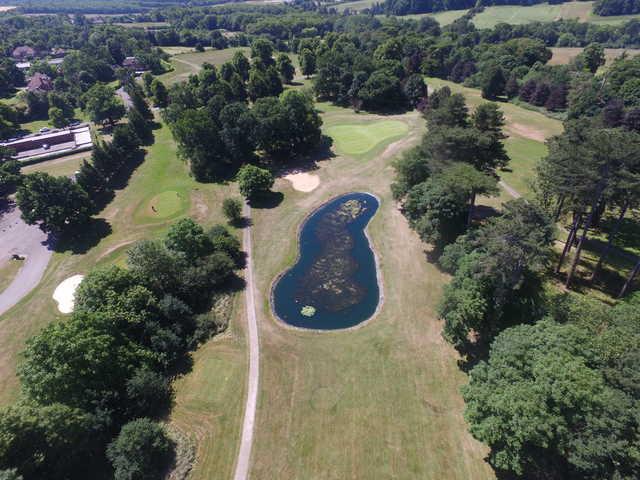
(360, 138)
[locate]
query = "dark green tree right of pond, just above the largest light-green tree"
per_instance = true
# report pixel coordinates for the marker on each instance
(496, 270)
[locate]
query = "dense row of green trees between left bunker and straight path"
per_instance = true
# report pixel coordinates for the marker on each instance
(95, 384)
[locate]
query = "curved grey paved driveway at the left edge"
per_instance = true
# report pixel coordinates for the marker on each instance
(16, 237)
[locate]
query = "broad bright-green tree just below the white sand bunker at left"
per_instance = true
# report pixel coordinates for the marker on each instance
(83, 362)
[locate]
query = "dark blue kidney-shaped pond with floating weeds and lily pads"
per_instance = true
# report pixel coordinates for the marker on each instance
(334, 283)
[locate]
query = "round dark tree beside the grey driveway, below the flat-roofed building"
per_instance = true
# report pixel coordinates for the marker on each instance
(54, 202)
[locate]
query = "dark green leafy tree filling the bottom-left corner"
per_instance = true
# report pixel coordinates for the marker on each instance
(52, 441)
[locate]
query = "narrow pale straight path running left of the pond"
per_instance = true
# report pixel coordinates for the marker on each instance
(246, 440)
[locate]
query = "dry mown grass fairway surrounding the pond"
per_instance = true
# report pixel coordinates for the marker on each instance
(381, 401)
